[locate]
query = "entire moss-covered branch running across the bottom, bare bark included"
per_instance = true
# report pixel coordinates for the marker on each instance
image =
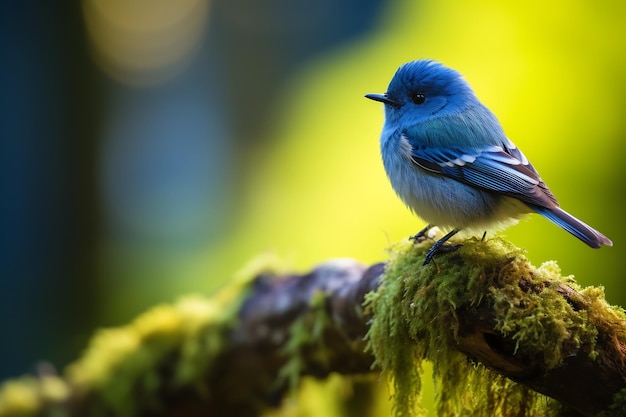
(497, 330)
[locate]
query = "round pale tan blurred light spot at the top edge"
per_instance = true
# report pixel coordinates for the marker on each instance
(142, 41)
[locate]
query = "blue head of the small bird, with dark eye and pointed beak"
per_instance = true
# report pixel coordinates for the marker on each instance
(422, 89)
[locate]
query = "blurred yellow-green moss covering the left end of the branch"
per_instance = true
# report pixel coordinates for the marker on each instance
(119, 374)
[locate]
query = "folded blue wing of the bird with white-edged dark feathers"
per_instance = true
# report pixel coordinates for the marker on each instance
(500, 168)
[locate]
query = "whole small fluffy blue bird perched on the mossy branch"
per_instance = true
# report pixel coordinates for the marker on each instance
(449, 160)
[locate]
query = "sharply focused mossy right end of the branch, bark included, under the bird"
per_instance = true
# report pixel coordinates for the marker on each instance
(530, 329)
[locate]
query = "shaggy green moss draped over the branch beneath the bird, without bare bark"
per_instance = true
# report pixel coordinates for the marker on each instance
(416, 319)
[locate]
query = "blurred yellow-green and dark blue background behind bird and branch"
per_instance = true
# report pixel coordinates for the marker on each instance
(152, 148)
